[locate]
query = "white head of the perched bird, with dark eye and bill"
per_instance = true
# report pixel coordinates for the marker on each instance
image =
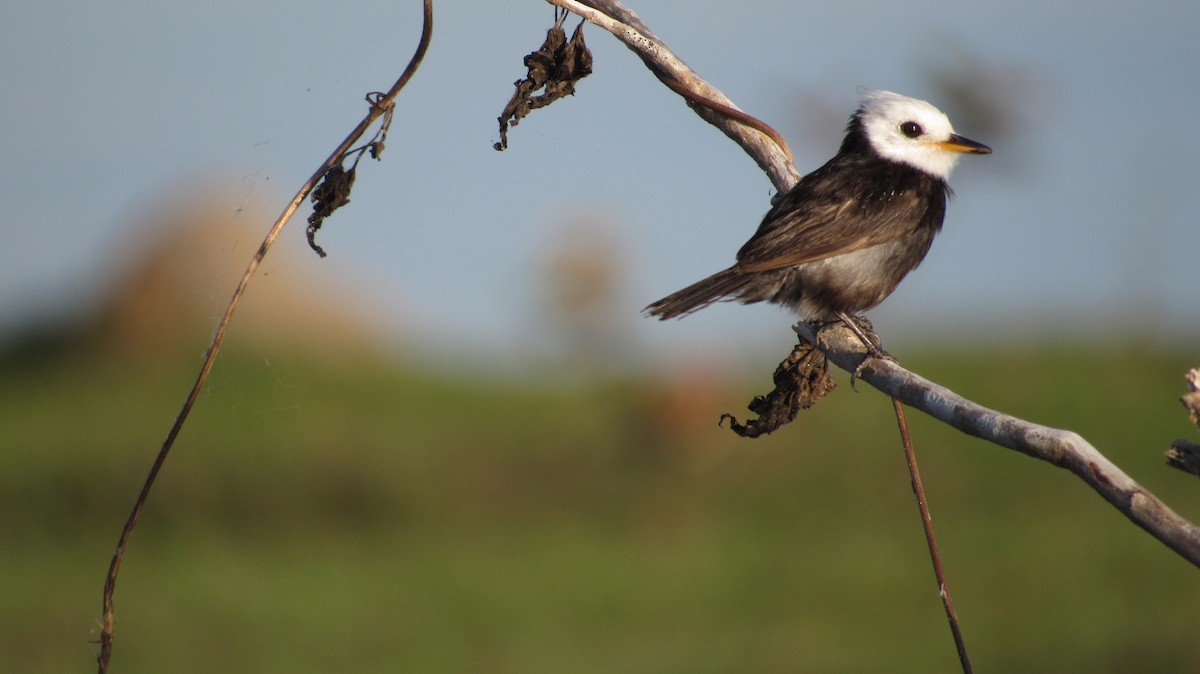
(914, 133)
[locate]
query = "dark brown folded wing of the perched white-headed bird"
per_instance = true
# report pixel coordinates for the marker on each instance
(833, 210)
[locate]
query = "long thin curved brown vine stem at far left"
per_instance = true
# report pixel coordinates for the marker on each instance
(380, 106)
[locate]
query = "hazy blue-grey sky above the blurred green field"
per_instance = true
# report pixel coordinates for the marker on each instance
(1082, 226)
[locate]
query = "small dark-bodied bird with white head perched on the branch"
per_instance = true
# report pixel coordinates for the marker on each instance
(844, 237)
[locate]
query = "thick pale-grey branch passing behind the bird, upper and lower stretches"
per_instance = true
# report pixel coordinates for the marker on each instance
(1064, 449)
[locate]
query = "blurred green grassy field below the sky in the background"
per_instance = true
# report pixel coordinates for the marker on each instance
(362, 517)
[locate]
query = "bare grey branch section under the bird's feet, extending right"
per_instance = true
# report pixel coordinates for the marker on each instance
(1064, 449)
